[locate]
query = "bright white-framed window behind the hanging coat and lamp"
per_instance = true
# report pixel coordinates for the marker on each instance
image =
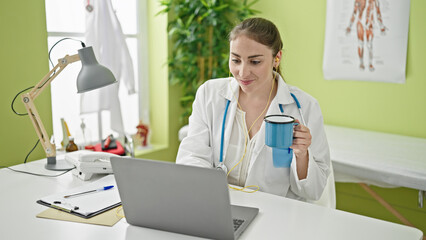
(66, 18)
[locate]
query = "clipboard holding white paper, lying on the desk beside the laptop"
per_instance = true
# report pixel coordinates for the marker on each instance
(86, 205)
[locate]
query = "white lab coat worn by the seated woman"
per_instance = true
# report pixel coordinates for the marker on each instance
(201, 147)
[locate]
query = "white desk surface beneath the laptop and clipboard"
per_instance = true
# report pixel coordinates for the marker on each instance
(278, 218)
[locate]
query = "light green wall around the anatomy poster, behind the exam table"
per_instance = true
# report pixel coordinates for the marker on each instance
(357, 104)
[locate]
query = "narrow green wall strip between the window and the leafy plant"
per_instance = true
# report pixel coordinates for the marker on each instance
(165, 108)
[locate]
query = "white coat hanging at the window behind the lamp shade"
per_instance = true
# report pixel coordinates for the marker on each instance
(104, 34)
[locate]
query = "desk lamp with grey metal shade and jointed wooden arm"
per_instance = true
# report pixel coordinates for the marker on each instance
(92, 76)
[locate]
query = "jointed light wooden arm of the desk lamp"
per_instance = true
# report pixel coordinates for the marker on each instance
(28, 99)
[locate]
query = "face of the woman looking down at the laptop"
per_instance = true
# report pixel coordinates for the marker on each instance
(251, 64)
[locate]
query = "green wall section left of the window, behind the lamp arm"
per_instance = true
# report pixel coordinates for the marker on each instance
(23, 49)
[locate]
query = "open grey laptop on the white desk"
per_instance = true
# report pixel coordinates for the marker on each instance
(177, 198)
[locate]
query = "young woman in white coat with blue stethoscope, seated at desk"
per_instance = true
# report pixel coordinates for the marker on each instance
(255, 91)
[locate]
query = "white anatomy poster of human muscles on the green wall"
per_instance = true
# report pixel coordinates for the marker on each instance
(366, 40)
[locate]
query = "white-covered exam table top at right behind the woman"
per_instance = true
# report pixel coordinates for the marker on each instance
(381, 159)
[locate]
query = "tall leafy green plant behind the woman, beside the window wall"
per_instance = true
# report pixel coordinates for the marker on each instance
(198, 30)
